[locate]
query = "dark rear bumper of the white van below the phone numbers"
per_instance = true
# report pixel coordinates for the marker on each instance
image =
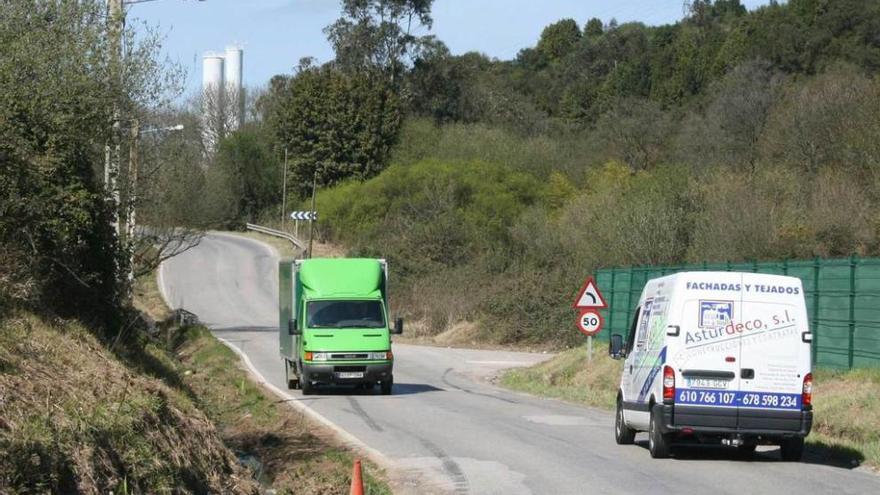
(727, 421)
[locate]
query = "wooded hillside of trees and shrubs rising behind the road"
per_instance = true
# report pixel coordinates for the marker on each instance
(494, 186)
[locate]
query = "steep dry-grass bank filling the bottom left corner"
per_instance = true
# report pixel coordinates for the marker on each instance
(75, 417)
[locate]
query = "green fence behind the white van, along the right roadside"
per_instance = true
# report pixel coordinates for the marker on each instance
(843, 302)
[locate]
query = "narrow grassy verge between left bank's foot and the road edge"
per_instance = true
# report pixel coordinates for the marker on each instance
(297, 456)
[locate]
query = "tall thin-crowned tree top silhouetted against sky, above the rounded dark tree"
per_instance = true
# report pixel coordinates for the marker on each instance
(376, 35)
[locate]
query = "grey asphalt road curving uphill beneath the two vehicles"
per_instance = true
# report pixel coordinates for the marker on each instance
(448, 430)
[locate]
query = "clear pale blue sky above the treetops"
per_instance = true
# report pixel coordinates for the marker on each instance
(276, 34)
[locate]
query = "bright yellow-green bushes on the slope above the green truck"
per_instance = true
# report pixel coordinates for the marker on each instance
(428, 215)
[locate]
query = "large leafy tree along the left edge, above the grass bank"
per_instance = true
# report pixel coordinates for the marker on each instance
(58, 86)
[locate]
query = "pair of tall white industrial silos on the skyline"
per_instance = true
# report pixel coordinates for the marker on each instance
(222, 95)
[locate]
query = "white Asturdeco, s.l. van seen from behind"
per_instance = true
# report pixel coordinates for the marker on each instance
(717, 357)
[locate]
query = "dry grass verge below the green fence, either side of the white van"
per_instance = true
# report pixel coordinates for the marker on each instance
(846, 403)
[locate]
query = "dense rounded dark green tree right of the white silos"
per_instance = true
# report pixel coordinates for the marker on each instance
(335, 125)
